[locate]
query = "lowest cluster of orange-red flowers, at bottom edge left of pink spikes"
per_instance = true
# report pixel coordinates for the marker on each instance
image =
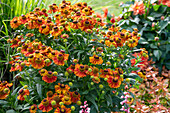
(59, 99)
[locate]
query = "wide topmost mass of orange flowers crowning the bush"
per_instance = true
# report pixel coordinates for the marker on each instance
(77, 16)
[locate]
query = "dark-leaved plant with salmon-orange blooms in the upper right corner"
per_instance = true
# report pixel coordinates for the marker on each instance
(151, 18)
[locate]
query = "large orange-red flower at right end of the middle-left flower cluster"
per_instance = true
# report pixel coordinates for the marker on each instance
(60, 58)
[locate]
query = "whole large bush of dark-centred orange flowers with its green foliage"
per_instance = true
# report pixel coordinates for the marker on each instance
(65, 56)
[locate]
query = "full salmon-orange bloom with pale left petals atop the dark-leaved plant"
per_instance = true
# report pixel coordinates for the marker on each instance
(138, 8)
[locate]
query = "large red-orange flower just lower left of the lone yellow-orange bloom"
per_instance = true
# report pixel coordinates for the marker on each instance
(80, 70)
